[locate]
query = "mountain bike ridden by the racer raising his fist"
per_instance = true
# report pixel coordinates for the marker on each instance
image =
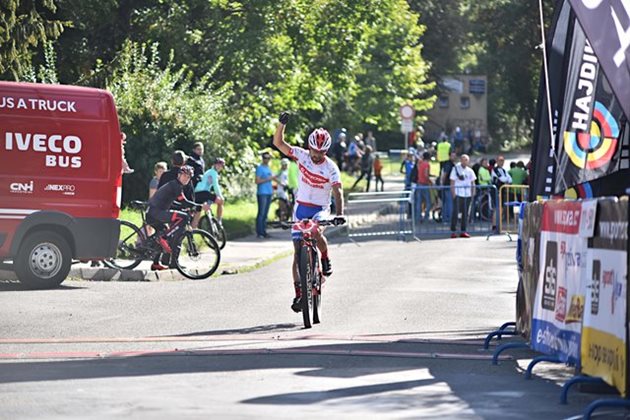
(308, 268)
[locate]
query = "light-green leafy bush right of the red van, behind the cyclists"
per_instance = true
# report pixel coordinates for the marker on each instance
(161, 109)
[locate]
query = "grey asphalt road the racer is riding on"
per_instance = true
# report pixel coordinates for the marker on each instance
(400, 338)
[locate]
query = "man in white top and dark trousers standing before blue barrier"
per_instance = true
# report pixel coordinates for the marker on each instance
(462, 190)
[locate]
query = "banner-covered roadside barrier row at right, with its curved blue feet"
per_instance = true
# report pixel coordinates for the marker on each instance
(573, 290)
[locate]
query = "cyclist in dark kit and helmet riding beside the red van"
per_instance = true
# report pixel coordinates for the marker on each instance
(159, 212)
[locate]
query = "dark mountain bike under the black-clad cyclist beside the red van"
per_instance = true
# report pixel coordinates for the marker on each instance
(196, 254)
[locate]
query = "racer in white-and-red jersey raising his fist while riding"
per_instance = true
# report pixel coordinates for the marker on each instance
(319, 175)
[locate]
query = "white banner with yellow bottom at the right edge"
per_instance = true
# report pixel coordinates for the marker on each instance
(604, 331)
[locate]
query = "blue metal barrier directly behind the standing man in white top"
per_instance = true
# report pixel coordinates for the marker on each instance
(480, 211)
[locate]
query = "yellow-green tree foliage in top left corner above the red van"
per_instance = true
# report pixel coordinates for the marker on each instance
(25, 24)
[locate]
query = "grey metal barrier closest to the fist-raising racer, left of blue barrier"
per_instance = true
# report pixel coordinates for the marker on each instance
(380, 214)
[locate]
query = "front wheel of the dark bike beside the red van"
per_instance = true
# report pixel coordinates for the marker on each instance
(197, 255)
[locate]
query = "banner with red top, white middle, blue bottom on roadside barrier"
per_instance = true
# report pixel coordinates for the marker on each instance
(559, 302)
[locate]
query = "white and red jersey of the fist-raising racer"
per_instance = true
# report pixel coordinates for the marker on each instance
(316, 179)
